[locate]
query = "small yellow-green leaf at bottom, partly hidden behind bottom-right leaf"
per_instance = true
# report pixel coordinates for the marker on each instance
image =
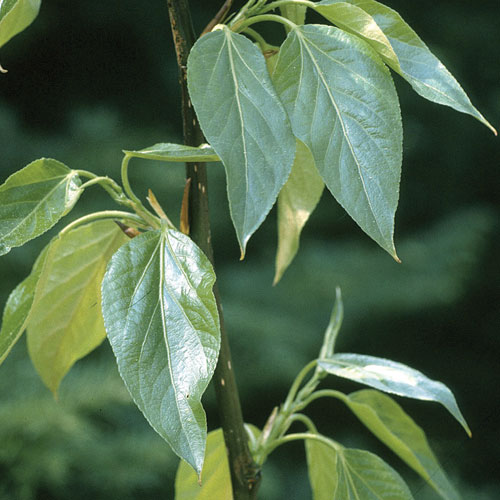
(322, 469)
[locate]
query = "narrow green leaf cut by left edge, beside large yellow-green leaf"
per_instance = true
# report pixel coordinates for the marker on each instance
(18, 307)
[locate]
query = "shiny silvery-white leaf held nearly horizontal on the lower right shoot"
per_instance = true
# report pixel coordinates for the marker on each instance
(392, 377)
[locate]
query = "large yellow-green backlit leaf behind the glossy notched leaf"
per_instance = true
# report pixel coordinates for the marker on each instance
(65, 322)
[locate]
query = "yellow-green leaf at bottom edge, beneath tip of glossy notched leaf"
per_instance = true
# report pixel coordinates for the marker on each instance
(215, 476)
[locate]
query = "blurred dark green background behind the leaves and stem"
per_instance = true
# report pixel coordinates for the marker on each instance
(88, 79)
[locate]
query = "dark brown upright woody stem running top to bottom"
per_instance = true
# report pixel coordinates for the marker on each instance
(244, 473)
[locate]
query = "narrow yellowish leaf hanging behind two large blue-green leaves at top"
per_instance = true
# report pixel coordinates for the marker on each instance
(296, 201)
